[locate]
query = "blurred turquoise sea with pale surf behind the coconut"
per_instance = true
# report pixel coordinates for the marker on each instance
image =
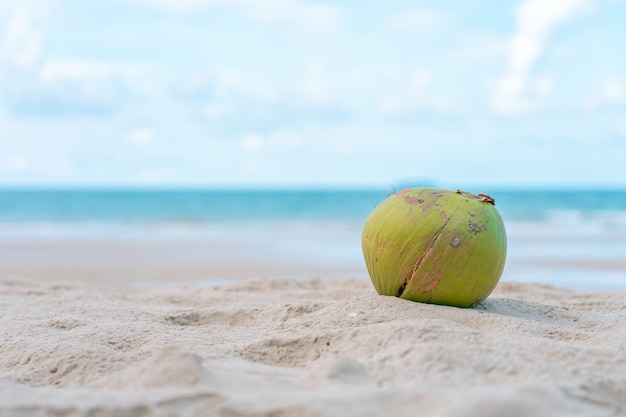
(569, 238)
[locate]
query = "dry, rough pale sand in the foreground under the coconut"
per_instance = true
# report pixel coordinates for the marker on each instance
(288, 347)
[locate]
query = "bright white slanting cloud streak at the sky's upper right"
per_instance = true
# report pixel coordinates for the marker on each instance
(517, 91)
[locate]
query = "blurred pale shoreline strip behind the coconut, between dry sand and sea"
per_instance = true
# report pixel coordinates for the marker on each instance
(162, 261)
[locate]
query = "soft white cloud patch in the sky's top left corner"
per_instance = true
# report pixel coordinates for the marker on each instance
(32, 83)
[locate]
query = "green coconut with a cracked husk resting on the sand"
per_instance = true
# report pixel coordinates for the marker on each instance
(435, 246)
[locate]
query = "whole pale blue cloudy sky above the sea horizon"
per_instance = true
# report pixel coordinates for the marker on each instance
(295, 93)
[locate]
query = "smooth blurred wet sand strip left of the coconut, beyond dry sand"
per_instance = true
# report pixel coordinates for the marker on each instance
(145, 261)
